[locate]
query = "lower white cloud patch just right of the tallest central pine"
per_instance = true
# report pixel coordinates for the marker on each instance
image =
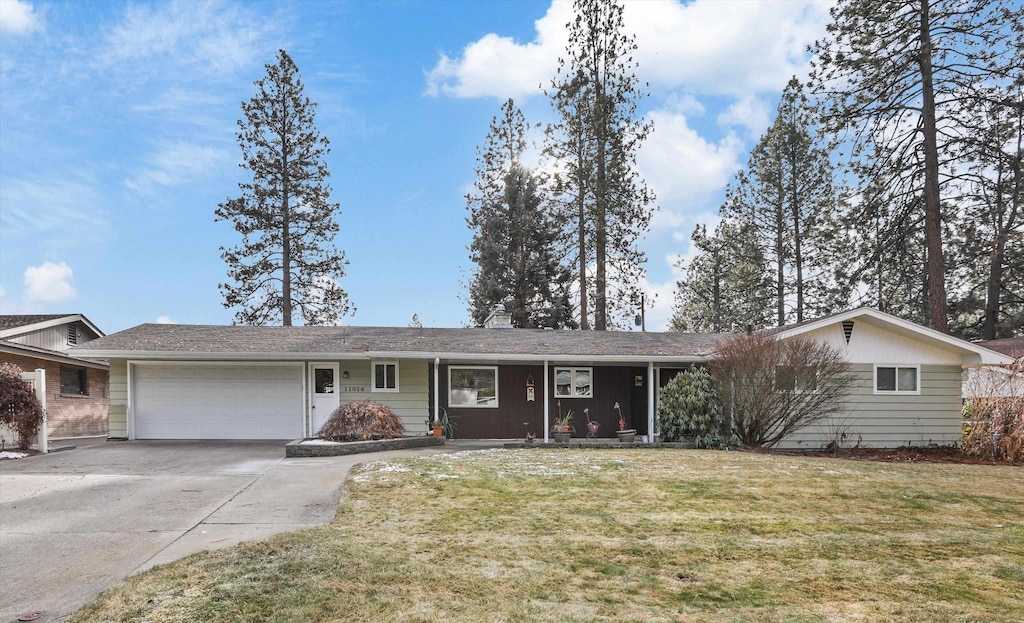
(685, 170)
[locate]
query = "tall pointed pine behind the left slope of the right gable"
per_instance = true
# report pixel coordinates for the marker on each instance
(787, 196)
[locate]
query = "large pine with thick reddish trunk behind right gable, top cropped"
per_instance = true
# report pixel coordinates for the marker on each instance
(892, 76)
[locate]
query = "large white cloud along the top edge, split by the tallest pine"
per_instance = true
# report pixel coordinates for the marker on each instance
(710, 47)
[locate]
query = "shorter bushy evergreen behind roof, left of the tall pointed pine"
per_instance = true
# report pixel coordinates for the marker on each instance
(727, 285)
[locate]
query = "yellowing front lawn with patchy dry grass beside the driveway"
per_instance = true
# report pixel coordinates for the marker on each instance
(639, 535)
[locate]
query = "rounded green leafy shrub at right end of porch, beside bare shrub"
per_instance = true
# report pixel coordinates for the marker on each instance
(690, 408)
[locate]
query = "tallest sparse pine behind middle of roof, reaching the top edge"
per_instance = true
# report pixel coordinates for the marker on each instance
(595, 142)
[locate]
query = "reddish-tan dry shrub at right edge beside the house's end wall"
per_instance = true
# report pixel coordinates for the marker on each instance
(994, 417)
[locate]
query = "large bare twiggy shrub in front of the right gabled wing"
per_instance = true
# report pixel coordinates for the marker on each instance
(775, 388)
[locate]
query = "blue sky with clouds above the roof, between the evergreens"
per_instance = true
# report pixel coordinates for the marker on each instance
(118, 121)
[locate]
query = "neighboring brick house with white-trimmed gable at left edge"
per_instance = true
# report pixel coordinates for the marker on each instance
(77, 389)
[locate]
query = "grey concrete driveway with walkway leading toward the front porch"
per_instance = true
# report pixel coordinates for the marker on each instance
(74, 523)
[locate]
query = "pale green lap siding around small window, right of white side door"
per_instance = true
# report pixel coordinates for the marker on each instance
(410, 403)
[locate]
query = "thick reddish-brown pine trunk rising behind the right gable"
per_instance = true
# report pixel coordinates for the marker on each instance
(933, 209)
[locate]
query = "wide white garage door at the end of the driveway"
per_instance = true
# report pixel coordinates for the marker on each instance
(184, 402)
